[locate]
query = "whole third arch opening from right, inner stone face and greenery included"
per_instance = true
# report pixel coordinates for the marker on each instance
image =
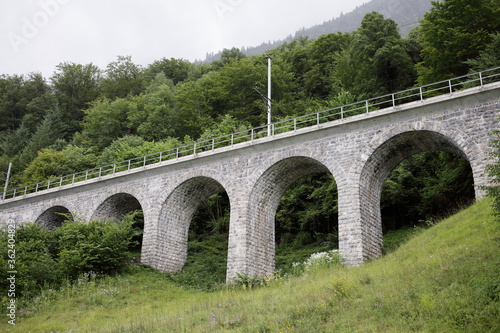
(194, 223)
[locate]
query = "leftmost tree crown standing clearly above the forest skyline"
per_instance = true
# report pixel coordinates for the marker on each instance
(75, 86)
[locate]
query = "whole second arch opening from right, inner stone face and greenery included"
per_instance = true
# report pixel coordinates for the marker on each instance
(273, 209)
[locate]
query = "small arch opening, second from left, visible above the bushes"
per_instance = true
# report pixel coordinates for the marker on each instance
(116, 207)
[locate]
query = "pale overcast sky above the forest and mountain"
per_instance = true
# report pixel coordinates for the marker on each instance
(36, 35)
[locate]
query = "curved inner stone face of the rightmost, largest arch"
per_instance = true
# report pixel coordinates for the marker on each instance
(378, 167)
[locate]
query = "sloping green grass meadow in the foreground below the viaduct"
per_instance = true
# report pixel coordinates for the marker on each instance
(444, 279)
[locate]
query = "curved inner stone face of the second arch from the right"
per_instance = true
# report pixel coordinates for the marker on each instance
(263, 202)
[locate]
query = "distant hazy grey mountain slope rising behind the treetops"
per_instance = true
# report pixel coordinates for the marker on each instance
(405, 13)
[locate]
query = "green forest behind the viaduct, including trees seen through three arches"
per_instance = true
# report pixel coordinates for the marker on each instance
(83, 116)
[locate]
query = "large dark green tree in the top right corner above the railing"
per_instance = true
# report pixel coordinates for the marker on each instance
(454, 31)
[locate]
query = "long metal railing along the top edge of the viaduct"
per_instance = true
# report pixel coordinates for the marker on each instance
(393, 100)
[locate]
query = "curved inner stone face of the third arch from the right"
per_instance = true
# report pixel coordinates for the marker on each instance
(175, 218)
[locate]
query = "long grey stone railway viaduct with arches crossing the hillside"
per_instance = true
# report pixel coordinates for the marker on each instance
(359, 152)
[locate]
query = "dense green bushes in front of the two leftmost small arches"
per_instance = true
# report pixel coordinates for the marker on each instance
(48, 258)
